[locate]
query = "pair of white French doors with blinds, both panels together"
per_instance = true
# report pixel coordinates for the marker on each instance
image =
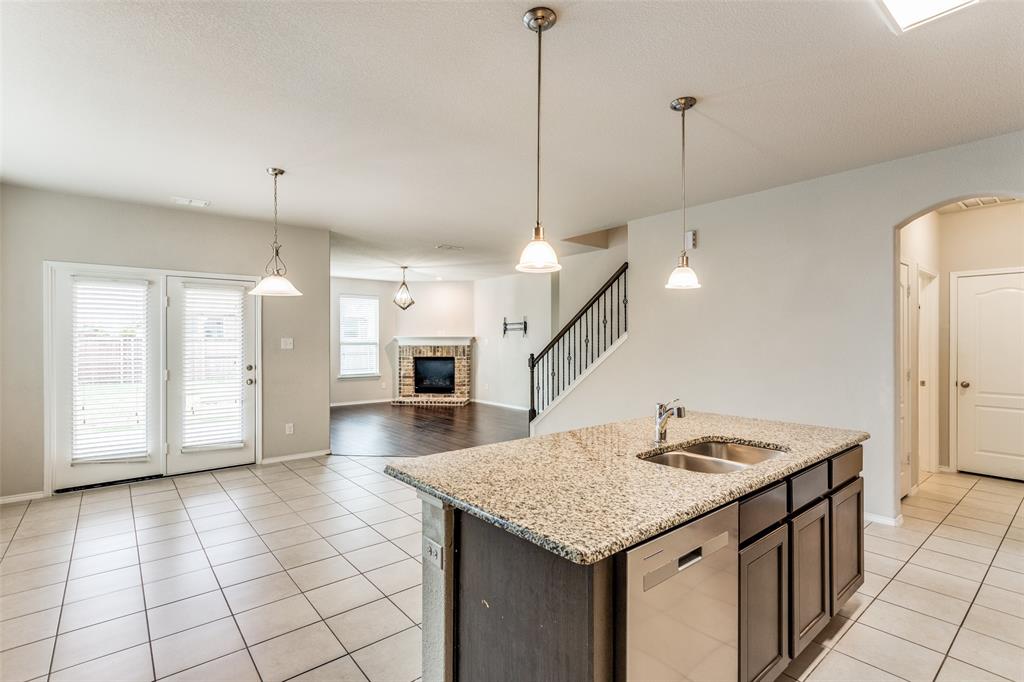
(148, 373)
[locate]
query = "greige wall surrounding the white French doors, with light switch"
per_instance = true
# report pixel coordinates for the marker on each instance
(44, 226)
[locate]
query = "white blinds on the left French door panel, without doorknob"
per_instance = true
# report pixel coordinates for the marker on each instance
(110, 370)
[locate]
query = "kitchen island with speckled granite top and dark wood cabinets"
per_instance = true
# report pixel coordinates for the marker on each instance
(527, 551)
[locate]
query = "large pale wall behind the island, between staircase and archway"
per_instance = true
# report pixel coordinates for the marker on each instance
(797, 317)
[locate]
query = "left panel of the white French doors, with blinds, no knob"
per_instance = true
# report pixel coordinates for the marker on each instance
(105, 418)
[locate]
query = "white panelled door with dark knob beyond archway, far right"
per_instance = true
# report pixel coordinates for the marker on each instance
(990, 374)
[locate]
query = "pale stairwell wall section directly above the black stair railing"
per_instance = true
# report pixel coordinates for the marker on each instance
(583, 274)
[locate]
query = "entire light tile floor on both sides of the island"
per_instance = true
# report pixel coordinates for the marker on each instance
(310, 571)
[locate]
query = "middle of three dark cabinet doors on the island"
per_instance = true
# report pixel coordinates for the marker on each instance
(810, 594)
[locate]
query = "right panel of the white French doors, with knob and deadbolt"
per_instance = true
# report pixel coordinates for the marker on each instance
(211, 374)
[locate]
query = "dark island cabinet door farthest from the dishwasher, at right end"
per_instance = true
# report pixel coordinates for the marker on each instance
(847, 509)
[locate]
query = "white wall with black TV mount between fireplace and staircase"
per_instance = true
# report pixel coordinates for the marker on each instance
(500, 371)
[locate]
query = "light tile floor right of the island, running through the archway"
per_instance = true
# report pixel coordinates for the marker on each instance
(944, 599)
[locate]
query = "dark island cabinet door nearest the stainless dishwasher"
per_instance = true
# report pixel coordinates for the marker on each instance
(764, 620)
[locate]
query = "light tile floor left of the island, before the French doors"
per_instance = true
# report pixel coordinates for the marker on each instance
(308, 570)
